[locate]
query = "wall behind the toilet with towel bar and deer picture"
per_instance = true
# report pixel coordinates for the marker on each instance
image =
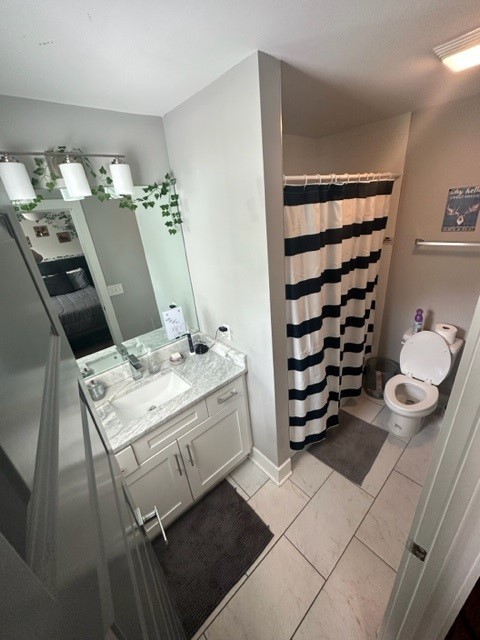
(443, 152)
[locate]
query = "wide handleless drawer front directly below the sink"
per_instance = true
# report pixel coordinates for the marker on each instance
(159, 438)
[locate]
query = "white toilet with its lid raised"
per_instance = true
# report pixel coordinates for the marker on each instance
(426, 359)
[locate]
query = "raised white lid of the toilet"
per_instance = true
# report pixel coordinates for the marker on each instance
(426, 356)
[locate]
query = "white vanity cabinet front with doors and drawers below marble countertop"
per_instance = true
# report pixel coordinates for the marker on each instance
(176, 463)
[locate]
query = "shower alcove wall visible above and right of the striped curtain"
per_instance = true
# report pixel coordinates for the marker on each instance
(379, 146)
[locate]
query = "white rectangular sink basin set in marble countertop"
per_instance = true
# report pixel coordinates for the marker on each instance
(149, 396)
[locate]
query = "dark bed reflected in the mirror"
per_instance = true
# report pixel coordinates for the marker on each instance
(76, 302)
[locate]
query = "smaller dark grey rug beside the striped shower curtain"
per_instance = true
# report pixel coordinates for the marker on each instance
(350, 448)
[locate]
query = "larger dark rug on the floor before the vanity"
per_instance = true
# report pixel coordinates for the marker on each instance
(209, 549)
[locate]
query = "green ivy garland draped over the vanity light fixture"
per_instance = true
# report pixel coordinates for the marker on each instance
(44, 178)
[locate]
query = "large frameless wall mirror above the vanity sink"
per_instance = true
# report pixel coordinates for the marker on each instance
(111, 273)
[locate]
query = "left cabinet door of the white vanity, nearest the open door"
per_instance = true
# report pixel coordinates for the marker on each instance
(161, 481)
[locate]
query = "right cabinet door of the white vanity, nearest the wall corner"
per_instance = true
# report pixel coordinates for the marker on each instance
(215, 446)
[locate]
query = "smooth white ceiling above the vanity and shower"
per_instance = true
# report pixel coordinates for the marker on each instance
(346, 62)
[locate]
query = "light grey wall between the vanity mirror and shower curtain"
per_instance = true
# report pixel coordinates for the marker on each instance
(216, 150)
